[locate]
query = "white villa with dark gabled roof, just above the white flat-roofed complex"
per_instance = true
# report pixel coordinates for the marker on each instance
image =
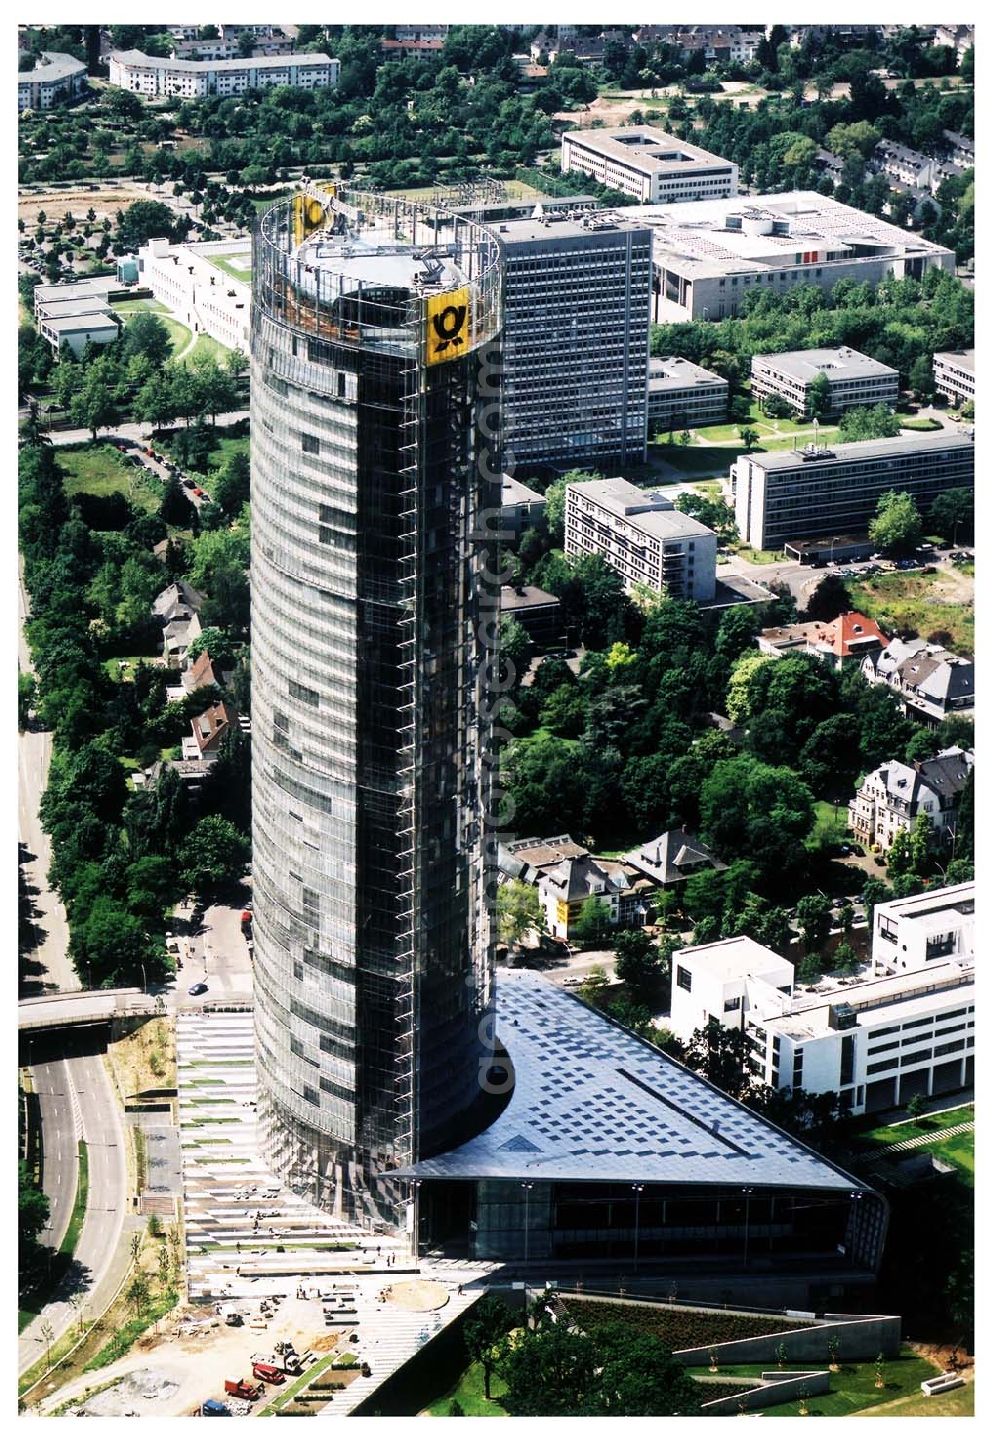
(891, 799)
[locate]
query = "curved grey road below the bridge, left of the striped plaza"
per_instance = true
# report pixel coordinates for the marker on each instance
(86, 1103)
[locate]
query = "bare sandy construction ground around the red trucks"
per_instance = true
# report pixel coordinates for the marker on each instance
(172, 1376)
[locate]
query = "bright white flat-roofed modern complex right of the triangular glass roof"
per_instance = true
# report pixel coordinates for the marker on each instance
(904, 1028)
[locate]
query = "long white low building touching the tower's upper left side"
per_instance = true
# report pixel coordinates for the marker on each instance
(204, 296)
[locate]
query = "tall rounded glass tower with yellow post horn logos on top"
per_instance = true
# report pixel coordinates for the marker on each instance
(373, 604)
